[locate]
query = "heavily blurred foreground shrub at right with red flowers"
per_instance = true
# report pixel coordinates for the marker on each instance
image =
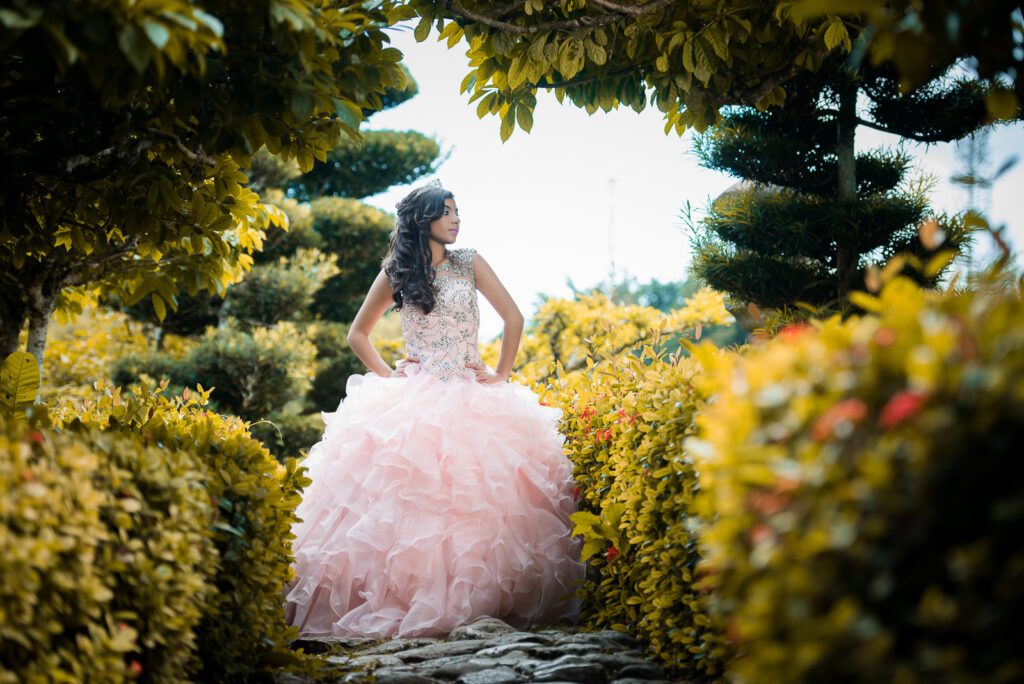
(860, 482)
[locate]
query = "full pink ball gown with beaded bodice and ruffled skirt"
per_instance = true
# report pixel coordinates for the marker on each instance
(436, 500)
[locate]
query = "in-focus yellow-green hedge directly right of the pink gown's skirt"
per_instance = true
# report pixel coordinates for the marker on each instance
(625, 424)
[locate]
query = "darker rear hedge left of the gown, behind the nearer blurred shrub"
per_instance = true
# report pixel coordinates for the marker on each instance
(243, 631)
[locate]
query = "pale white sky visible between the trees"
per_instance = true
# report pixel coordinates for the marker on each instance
(580, 192)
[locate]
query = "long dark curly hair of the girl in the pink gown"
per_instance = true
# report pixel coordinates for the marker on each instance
(408, 263)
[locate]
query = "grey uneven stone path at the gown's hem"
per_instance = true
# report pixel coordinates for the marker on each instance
(489, 652)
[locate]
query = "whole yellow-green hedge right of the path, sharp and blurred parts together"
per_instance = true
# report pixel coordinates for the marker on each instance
(837, 502)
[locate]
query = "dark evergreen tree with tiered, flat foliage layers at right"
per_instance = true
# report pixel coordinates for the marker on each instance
(812, 216)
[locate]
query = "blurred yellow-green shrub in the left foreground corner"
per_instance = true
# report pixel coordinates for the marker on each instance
(105, 558)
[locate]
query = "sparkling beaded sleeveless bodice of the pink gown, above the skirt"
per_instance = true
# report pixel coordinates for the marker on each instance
(447, 339)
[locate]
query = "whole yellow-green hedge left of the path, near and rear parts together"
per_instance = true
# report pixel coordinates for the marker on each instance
(172, 526)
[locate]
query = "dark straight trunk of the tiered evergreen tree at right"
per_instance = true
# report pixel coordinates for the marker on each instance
(846, 241)
